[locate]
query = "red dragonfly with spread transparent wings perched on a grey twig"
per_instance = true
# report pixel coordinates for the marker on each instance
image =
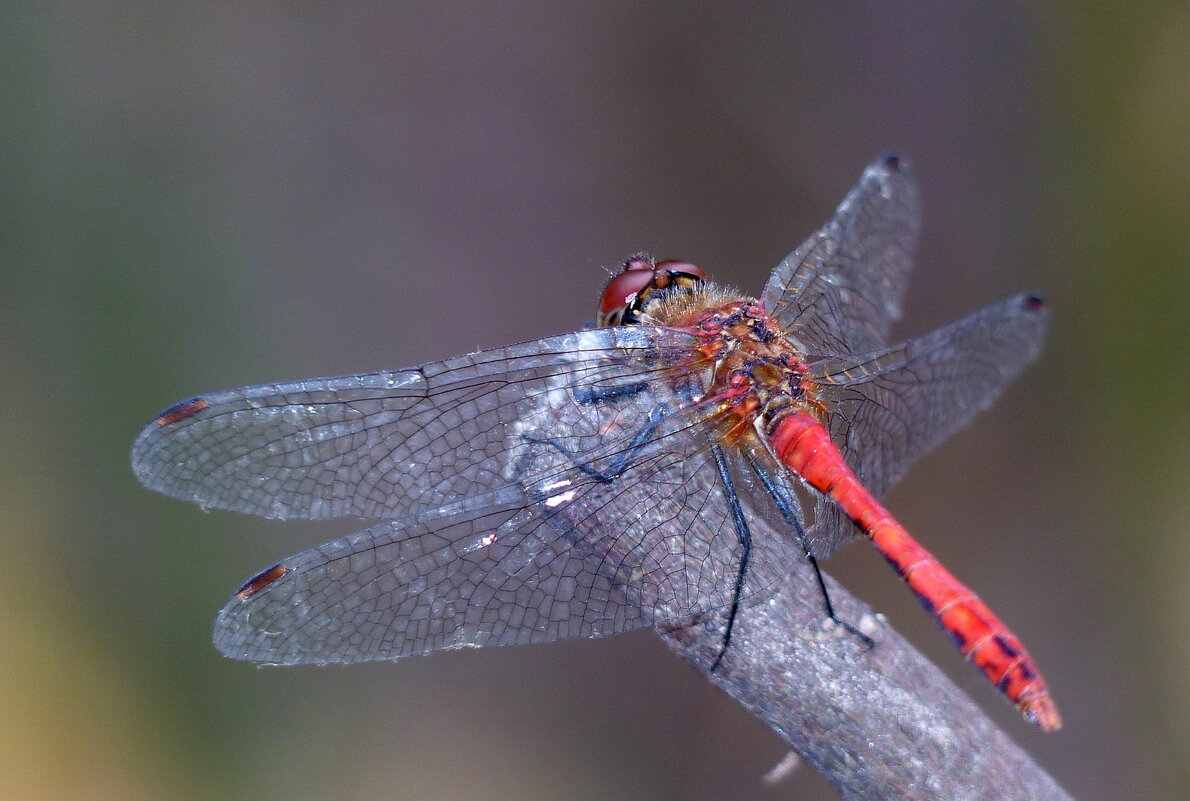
(610, 479)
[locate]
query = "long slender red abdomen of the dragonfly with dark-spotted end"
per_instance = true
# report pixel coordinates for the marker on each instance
(805, 447)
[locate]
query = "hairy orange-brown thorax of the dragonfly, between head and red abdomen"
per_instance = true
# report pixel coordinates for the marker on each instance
(759, 377)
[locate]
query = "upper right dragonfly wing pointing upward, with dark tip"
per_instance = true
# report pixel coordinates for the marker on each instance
(841, 291)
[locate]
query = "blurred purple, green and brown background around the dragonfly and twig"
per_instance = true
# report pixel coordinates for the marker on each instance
(205, 196)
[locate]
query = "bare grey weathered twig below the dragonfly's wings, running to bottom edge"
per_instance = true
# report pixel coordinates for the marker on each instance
(878, 723)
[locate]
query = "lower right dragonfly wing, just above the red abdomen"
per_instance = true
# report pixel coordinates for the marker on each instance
(891, 406)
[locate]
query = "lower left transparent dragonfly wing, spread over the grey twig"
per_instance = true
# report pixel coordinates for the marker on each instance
(581, 547)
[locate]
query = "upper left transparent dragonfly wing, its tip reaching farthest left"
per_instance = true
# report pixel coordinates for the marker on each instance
(387, 445)
